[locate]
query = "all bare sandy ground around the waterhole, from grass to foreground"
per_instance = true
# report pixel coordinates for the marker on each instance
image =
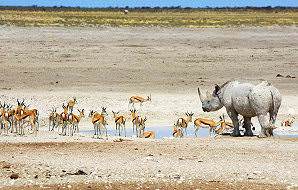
(105, 66)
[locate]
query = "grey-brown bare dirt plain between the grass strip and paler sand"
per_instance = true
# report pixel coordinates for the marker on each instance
(144, 60)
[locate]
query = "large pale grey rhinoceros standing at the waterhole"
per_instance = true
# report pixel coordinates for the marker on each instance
(262, 100)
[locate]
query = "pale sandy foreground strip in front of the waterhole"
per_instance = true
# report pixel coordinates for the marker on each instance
(229, 160)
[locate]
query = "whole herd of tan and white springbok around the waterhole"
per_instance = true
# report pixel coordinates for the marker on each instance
(17, 119)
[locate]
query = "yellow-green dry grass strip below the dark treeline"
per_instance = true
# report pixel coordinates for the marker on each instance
(166, 18)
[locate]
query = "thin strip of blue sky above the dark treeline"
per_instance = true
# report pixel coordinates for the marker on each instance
(150, 3)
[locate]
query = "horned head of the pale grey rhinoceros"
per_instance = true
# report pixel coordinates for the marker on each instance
(211, 102)
